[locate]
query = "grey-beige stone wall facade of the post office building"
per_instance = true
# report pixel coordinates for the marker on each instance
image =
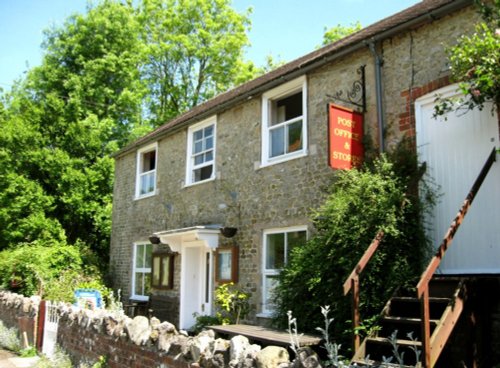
(252, 197)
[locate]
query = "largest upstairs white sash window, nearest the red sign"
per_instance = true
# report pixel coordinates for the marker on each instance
(284, 122)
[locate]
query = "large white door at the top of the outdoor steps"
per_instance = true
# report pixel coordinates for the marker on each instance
(455, 151)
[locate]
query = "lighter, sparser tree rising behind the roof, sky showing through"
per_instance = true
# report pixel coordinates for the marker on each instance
(193, 51)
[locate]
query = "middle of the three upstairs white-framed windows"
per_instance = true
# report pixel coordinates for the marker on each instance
(201, 152)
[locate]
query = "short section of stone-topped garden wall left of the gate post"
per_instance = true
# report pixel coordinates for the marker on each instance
(20, 312)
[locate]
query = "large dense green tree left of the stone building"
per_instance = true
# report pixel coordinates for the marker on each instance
(60, 125)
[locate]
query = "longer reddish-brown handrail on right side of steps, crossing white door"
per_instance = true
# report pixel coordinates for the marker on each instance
(423, 284)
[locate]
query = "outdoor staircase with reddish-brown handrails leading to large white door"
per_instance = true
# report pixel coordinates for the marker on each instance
(430, 315)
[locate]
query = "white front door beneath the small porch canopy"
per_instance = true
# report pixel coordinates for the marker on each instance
(196, 283)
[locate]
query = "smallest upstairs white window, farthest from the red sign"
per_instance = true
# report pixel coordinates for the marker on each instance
(146, 171)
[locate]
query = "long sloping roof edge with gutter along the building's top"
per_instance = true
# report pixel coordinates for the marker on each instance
(423, 12)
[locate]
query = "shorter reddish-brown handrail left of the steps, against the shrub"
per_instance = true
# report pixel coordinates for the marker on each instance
(352, 283)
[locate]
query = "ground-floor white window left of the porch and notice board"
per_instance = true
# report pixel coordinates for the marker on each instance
(141, 275)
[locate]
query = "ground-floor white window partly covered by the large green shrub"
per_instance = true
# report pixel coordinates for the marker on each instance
(278, 244)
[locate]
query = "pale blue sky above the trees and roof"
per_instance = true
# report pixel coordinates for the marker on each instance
(286, 29)
